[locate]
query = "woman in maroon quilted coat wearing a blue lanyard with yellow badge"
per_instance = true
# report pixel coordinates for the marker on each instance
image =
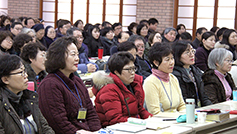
(63, 97)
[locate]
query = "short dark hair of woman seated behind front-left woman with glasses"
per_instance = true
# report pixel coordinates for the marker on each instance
(30, 51)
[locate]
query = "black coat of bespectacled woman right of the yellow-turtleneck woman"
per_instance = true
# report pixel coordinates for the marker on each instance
(187, 86)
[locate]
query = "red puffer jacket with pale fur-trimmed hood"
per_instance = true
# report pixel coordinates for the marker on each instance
(111, 94)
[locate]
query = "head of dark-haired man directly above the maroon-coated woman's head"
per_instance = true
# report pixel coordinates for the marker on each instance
(63, 26)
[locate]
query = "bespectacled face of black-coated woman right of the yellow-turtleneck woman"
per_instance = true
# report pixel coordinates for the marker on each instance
(188, 56)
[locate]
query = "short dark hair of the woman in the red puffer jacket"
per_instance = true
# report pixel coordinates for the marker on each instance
(119, 60)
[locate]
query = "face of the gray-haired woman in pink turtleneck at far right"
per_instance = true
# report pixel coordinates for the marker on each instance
(226, 67)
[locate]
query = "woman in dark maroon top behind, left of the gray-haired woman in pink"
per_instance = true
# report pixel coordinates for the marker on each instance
(207, 44)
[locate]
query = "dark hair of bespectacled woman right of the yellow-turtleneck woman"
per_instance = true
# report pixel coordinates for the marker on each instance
(178, 48)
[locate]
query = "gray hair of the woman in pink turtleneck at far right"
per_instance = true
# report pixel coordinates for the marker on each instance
(218, 55)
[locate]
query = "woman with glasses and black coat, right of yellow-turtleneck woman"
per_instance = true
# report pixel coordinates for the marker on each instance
(189, 76)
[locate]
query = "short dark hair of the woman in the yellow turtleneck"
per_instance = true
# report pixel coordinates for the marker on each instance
(158, 51)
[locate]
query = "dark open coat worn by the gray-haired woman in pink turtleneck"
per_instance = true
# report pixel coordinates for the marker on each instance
(214, 88)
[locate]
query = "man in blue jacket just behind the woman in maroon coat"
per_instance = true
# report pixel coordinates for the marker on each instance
(84, 64)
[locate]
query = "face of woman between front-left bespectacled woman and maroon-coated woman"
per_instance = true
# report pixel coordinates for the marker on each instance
(38, 63)
